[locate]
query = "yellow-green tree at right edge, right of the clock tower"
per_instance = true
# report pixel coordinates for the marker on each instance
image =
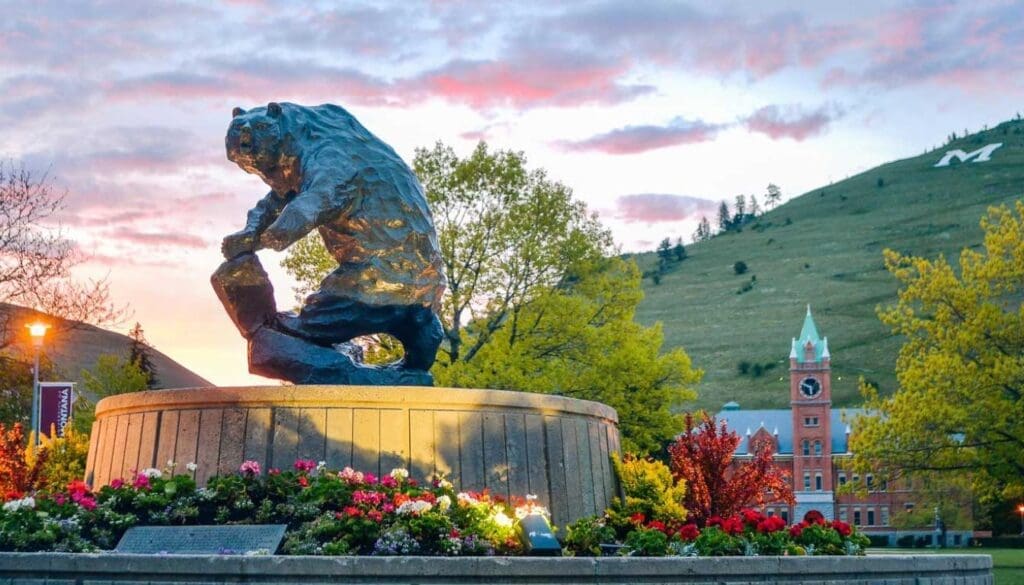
(960, 405)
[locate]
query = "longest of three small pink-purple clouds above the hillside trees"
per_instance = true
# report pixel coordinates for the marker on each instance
(633, 140)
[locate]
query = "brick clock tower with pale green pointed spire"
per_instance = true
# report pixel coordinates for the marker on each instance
(810, 397)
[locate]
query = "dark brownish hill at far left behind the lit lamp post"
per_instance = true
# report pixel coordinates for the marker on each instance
(77, 349)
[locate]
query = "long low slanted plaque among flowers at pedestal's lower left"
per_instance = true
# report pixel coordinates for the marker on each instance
(235, 539)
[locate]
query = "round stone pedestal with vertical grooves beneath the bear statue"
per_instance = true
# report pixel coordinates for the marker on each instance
(513, 443)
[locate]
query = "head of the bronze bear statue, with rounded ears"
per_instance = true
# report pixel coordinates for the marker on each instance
(257, 140)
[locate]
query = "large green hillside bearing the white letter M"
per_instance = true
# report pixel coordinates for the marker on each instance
(825, 248)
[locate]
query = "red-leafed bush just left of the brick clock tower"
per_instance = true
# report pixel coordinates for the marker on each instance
(703, 456)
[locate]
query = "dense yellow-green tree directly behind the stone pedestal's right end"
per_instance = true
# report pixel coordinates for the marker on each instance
(581, 341)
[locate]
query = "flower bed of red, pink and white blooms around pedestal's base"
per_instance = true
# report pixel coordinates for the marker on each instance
(351, 513)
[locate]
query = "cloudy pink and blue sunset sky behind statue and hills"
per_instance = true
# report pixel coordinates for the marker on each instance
(652, 112)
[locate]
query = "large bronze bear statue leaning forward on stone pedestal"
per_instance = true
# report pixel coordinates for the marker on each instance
(327, 173)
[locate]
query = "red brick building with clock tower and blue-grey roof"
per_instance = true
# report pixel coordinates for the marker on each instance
(812, 441)
